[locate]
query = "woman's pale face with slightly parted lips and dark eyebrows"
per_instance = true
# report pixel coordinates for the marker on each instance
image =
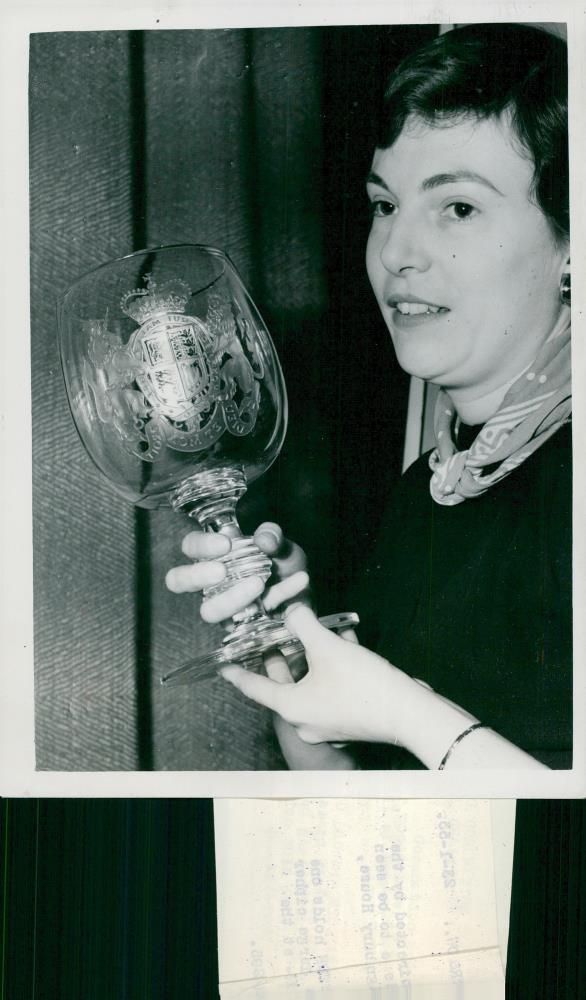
(463, 263)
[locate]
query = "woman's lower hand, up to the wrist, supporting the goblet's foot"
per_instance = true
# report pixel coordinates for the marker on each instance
(348, 693)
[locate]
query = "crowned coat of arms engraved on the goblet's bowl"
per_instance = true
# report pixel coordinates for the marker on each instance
(180, 381)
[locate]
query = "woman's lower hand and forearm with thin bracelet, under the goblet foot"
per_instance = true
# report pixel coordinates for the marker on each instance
(350, 693)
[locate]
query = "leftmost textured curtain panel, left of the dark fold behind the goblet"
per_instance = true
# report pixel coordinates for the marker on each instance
(81, 215)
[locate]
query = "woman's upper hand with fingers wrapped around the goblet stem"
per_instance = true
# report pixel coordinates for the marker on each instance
(289, 579)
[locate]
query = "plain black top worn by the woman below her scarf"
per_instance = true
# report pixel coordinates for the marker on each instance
(476, 599)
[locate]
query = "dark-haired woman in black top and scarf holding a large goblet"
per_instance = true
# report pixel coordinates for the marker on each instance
(469, 589)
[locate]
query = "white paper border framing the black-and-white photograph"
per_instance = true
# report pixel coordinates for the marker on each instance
(18, 776)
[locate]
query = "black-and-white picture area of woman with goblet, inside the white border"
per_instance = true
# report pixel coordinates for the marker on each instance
(301, 400)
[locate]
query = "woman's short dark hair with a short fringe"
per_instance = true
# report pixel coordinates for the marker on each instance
(493, 71)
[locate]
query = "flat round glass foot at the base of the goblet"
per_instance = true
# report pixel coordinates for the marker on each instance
(247, 645)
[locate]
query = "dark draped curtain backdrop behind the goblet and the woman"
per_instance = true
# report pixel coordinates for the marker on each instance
(256, 141)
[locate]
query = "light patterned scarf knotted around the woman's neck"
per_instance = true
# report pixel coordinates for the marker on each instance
(535, 406)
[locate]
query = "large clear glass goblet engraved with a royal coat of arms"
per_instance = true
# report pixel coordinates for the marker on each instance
(178, 396)
